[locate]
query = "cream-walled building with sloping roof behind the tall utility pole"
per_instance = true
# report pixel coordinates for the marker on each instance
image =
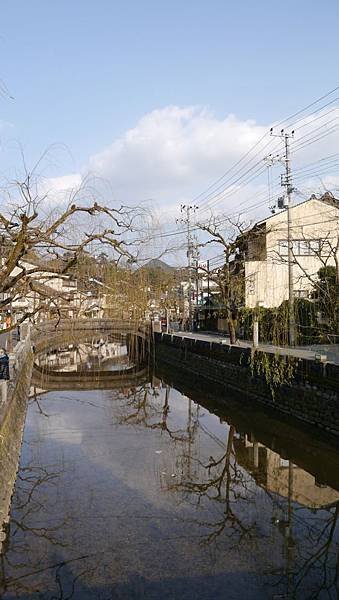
(314, 235)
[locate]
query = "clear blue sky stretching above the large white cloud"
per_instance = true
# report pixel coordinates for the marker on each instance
(84, 73)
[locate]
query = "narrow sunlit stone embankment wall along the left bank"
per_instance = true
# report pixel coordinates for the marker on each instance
(13, 405)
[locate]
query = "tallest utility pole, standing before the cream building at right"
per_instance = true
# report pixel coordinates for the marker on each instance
(286, 182)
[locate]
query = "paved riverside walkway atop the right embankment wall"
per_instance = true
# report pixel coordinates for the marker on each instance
(331, 351)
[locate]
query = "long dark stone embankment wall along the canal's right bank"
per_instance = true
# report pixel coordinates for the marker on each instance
(303, 389)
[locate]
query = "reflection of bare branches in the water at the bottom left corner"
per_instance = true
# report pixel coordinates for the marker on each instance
(20, 571)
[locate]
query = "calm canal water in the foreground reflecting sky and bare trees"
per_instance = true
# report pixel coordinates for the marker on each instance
(144, 493)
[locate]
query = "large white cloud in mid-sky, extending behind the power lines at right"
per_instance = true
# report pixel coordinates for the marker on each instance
(174, 153)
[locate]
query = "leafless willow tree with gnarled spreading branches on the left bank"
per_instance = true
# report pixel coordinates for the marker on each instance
(41, 242)
